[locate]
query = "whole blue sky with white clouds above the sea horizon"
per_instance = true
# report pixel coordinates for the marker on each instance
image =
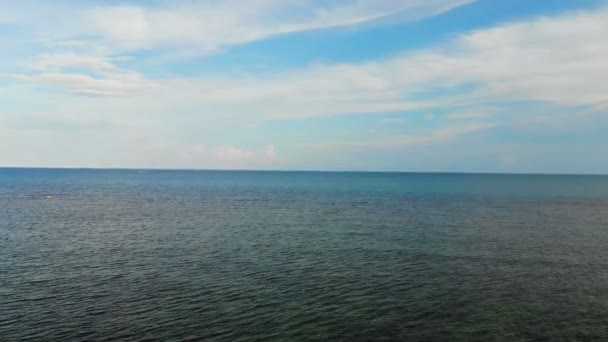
(375, 85)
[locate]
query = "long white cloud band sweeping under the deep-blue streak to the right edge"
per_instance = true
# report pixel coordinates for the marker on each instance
(520, 61)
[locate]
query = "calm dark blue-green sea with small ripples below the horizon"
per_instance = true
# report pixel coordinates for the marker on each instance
(278, 256)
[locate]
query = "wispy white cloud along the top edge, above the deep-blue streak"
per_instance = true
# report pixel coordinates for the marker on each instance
(197, 27)
